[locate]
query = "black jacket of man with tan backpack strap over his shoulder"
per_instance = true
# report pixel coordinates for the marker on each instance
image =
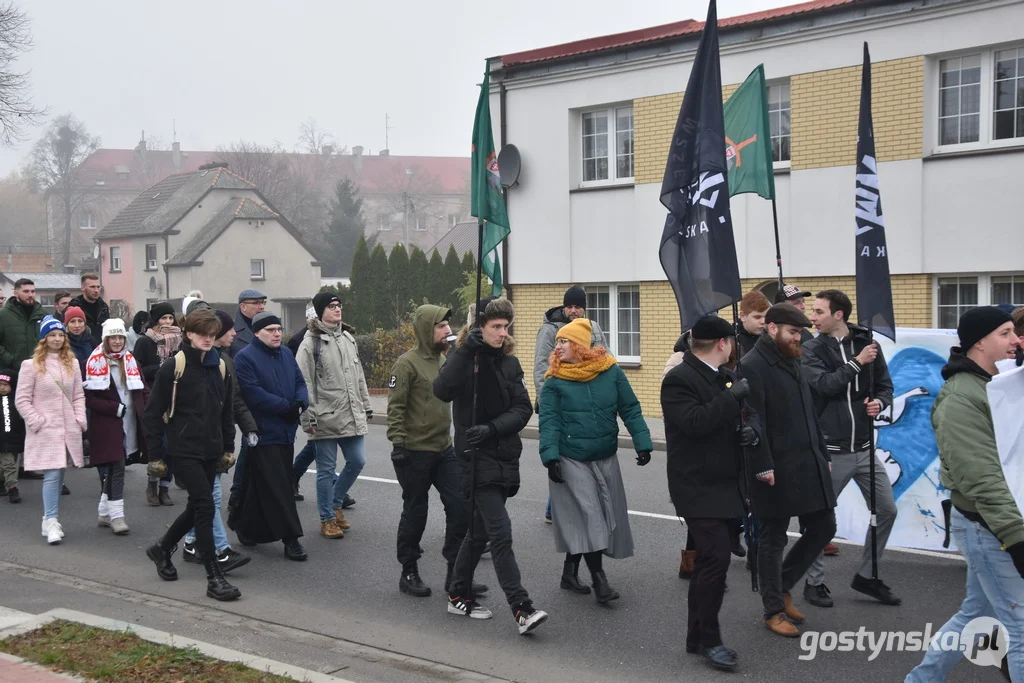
(203, 425)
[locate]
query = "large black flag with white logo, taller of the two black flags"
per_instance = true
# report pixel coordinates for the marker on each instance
(699, 252)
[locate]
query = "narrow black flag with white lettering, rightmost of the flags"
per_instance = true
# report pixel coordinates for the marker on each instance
(875, 292)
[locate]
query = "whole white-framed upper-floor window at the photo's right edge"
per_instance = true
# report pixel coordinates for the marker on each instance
(982, 100)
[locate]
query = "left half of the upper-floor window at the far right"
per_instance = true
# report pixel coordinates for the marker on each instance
(960, 100)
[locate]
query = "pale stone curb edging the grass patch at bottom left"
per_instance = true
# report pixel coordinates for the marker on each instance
(164, 638)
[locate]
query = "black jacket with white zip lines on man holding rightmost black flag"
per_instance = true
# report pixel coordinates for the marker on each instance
(840, 387)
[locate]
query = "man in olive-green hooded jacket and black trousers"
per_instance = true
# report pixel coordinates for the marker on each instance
(419, 426)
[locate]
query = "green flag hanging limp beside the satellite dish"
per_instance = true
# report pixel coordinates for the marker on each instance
(488, 203)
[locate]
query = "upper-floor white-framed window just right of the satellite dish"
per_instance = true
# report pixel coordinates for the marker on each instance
(608, 145)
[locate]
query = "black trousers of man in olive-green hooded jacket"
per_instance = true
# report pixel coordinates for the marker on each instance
(417, 474)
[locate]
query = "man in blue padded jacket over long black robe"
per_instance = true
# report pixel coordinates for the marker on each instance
(276, 394)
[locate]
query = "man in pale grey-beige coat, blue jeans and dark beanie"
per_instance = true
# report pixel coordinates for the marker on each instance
(339, 408)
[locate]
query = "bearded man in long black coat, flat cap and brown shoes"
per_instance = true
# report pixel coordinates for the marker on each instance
(790, 465)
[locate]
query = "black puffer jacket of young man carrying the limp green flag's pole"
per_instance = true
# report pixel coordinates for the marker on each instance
(502, 402)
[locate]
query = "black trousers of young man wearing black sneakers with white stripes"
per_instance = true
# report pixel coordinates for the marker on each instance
(491, 522)
